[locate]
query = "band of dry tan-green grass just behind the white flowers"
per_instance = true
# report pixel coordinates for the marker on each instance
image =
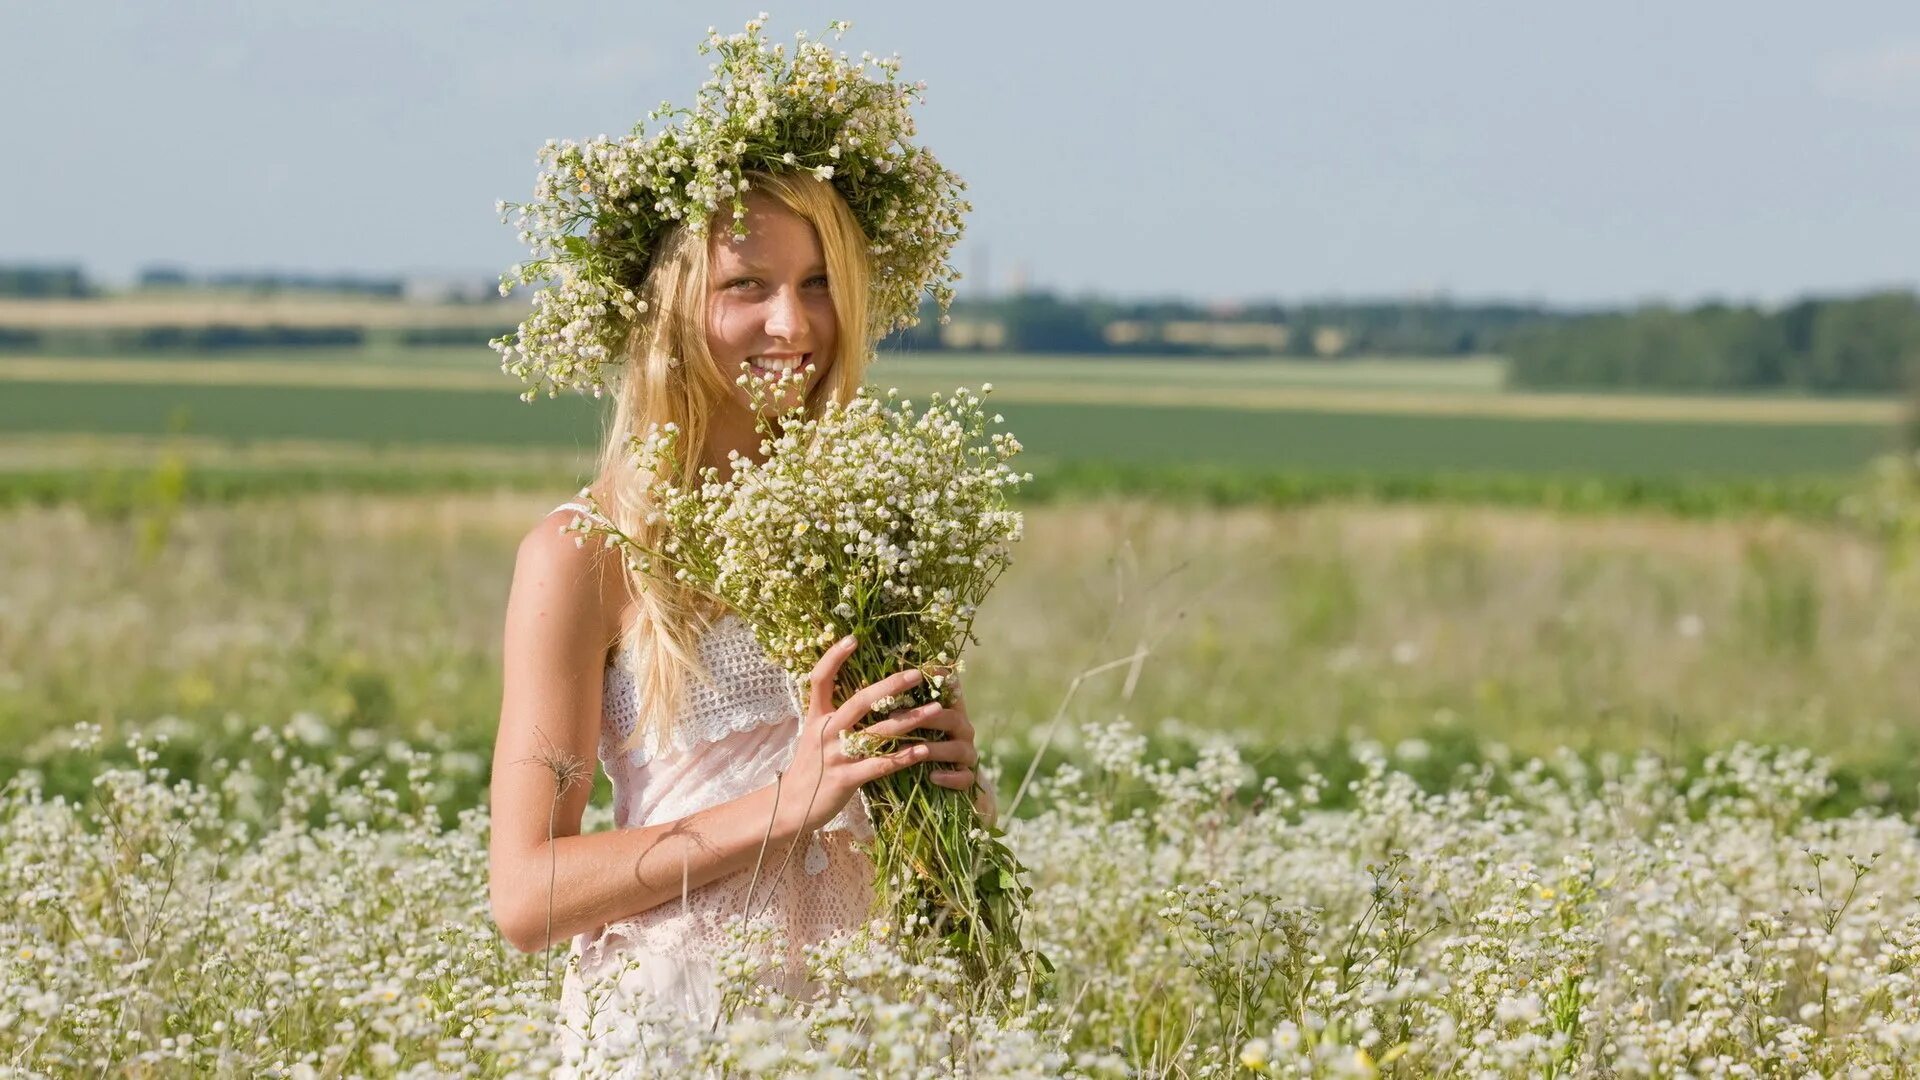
(1305, 629)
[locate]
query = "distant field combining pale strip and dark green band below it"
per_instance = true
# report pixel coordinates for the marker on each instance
(1376, 416)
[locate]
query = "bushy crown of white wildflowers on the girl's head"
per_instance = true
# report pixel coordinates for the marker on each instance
(602, 207)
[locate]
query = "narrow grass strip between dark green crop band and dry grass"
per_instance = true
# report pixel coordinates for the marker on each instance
(128, 476)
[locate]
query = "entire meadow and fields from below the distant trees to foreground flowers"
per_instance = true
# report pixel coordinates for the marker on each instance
(1406, 741)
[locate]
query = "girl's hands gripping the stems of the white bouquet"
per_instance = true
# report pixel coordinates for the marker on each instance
(823, 777)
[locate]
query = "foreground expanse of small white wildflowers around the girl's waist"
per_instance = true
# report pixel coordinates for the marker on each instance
(299, 916)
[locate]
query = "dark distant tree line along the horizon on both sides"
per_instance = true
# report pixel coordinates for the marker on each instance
(1817, 345)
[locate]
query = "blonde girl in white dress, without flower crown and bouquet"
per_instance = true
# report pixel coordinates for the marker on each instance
(731, 797)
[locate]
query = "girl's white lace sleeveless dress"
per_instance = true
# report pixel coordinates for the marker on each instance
(731, 739)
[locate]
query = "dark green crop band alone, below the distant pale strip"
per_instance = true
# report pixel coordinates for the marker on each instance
(1126, 433)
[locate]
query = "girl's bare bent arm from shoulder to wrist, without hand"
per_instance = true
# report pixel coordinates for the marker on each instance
(548, 881)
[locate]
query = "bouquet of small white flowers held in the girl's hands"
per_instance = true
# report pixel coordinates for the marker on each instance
(892, 526)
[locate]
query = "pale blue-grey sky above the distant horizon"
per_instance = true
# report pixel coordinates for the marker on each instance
(1746, 151)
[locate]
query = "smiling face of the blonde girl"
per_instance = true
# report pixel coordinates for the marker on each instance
(769, 301)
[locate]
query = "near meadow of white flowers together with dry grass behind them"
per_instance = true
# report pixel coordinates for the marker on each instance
(264, 852)
